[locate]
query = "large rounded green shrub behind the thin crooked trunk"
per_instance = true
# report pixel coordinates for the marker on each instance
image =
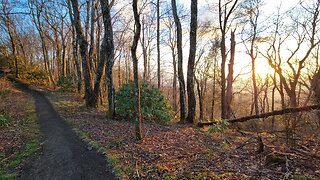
(154, 106)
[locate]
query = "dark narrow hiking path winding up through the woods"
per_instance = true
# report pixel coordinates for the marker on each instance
(63, 155)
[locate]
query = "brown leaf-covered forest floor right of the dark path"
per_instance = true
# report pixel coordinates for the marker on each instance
(184, 151)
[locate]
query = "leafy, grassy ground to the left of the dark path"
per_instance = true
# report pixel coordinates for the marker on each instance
(19, 131)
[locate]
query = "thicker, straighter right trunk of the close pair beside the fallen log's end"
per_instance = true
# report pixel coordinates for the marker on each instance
(191, 61)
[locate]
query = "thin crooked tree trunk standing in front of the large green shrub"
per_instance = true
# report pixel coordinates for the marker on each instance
(138, 119)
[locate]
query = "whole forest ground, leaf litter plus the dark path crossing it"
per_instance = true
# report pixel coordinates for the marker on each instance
(175, 151)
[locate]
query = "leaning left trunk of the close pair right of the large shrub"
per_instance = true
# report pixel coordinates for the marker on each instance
(180, 62)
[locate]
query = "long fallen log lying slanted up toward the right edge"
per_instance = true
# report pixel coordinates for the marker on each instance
(275, 113)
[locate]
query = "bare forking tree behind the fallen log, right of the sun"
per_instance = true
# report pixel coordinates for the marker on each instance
(309, 31)
